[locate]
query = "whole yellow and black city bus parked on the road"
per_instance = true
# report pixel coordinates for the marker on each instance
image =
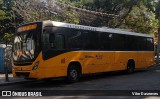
(50, 49)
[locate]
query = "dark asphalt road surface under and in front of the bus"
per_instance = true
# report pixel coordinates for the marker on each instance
(118, 82)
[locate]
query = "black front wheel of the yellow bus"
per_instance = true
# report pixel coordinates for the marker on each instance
(73, 74)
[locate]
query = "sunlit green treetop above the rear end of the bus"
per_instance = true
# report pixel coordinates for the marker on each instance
(141, 20)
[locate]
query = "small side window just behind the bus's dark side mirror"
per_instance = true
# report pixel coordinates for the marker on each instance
(59, 42)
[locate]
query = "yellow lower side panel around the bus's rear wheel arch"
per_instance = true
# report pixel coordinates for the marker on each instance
(141, 59)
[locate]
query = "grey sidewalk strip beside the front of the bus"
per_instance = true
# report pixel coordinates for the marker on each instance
(12, 80)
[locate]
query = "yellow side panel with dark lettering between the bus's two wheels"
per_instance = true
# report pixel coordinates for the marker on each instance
(97, 61)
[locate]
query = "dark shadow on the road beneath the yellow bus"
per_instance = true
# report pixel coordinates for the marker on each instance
(60, 82)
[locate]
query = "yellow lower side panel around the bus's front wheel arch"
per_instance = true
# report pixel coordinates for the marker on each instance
(57, 66)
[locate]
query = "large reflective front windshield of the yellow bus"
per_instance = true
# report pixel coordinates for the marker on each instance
(24, 47)
